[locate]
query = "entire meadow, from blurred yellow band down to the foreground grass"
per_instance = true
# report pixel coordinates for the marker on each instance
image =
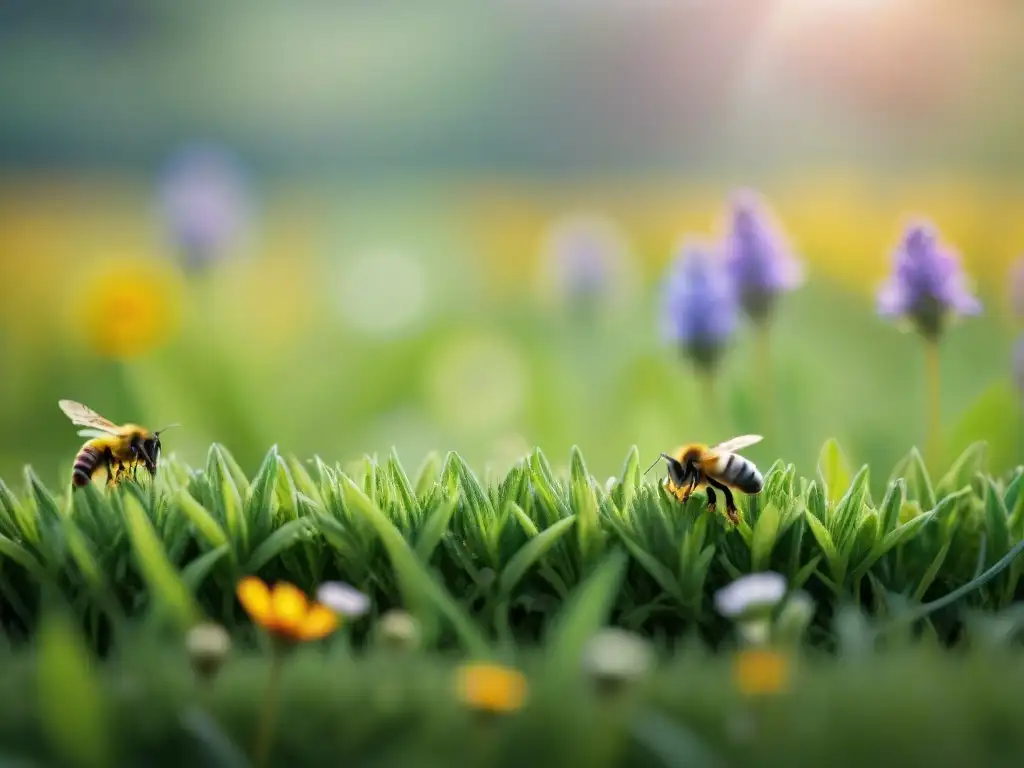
(402, 397)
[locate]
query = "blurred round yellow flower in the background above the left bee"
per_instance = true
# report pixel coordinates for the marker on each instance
(126, 309)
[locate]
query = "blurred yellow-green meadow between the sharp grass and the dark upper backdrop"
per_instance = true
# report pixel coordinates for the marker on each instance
(430, 319)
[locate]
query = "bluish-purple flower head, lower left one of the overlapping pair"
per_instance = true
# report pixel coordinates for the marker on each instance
(701, 313)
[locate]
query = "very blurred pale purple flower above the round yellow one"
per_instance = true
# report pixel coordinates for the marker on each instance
(203, 202)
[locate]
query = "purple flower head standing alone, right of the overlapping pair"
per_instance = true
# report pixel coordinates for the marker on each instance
(928, 285)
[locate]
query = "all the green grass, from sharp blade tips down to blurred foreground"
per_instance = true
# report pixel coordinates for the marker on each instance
(523, 571)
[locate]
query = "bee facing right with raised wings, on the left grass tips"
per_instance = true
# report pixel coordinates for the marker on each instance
(117, 450)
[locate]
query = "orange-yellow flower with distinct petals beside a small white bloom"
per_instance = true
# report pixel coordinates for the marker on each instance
(285, 612)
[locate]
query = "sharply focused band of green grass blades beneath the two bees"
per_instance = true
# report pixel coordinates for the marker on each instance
(488, 563)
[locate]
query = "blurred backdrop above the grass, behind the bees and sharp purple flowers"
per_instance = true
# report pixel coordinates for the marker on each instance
(342, 227)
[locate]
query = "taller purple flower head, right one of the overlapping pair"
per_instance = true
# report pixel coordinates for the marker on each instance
(758, 255)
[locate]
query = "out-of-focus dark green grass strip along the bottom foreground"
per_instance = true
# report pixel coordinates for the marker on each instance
(907, 707)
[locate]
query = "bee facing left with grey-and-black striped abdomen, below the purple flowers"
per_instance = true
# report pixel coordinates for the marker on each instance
(698, 466)
